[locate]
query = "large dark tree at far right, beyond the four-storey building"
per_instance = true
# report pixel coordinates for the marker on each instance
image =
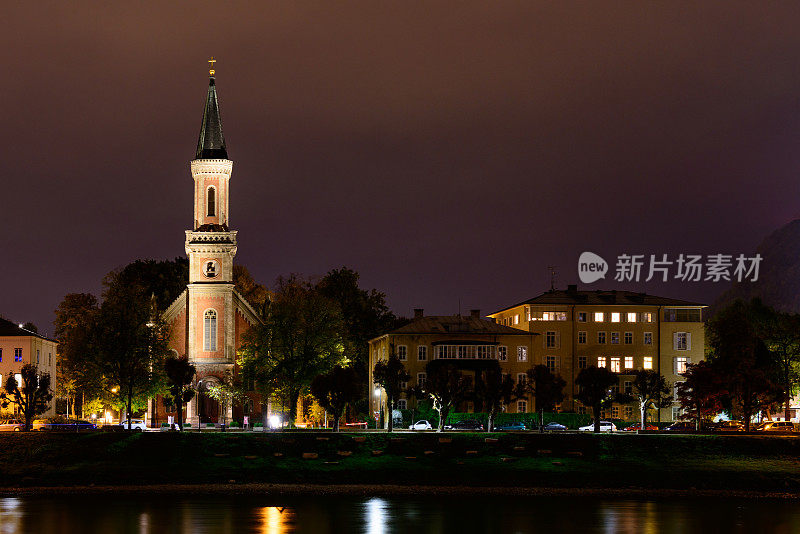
(743, 360)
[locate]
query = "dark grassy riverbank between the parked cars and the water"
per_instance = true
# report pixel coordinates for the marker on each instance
(527, 462)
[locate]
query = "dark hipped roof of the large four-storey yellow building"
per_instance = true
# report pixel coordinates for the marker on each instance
(572, 296)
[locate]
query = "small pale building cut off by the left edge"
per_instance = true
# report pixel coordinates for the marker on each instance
(19, 346)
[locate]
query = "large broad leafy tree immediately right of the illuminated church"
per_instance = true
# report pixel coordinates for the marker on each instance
(301, 337)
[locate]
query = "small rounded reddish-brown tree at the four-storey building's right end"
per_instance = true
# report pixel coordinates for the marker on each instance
(701, 394)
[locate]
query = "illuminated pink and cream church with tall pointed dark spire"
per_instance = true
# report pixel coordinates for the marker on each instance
(208, 319)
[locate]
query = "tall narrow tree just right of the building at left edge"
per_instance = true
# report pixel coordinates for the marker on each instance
(76, 317)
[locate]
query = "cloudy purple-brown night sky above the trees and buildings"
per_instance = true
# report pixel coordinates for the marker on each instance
(446, 151)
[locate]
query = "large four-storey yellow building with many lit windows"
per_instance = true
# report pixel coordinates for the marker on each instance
(621, 330)
